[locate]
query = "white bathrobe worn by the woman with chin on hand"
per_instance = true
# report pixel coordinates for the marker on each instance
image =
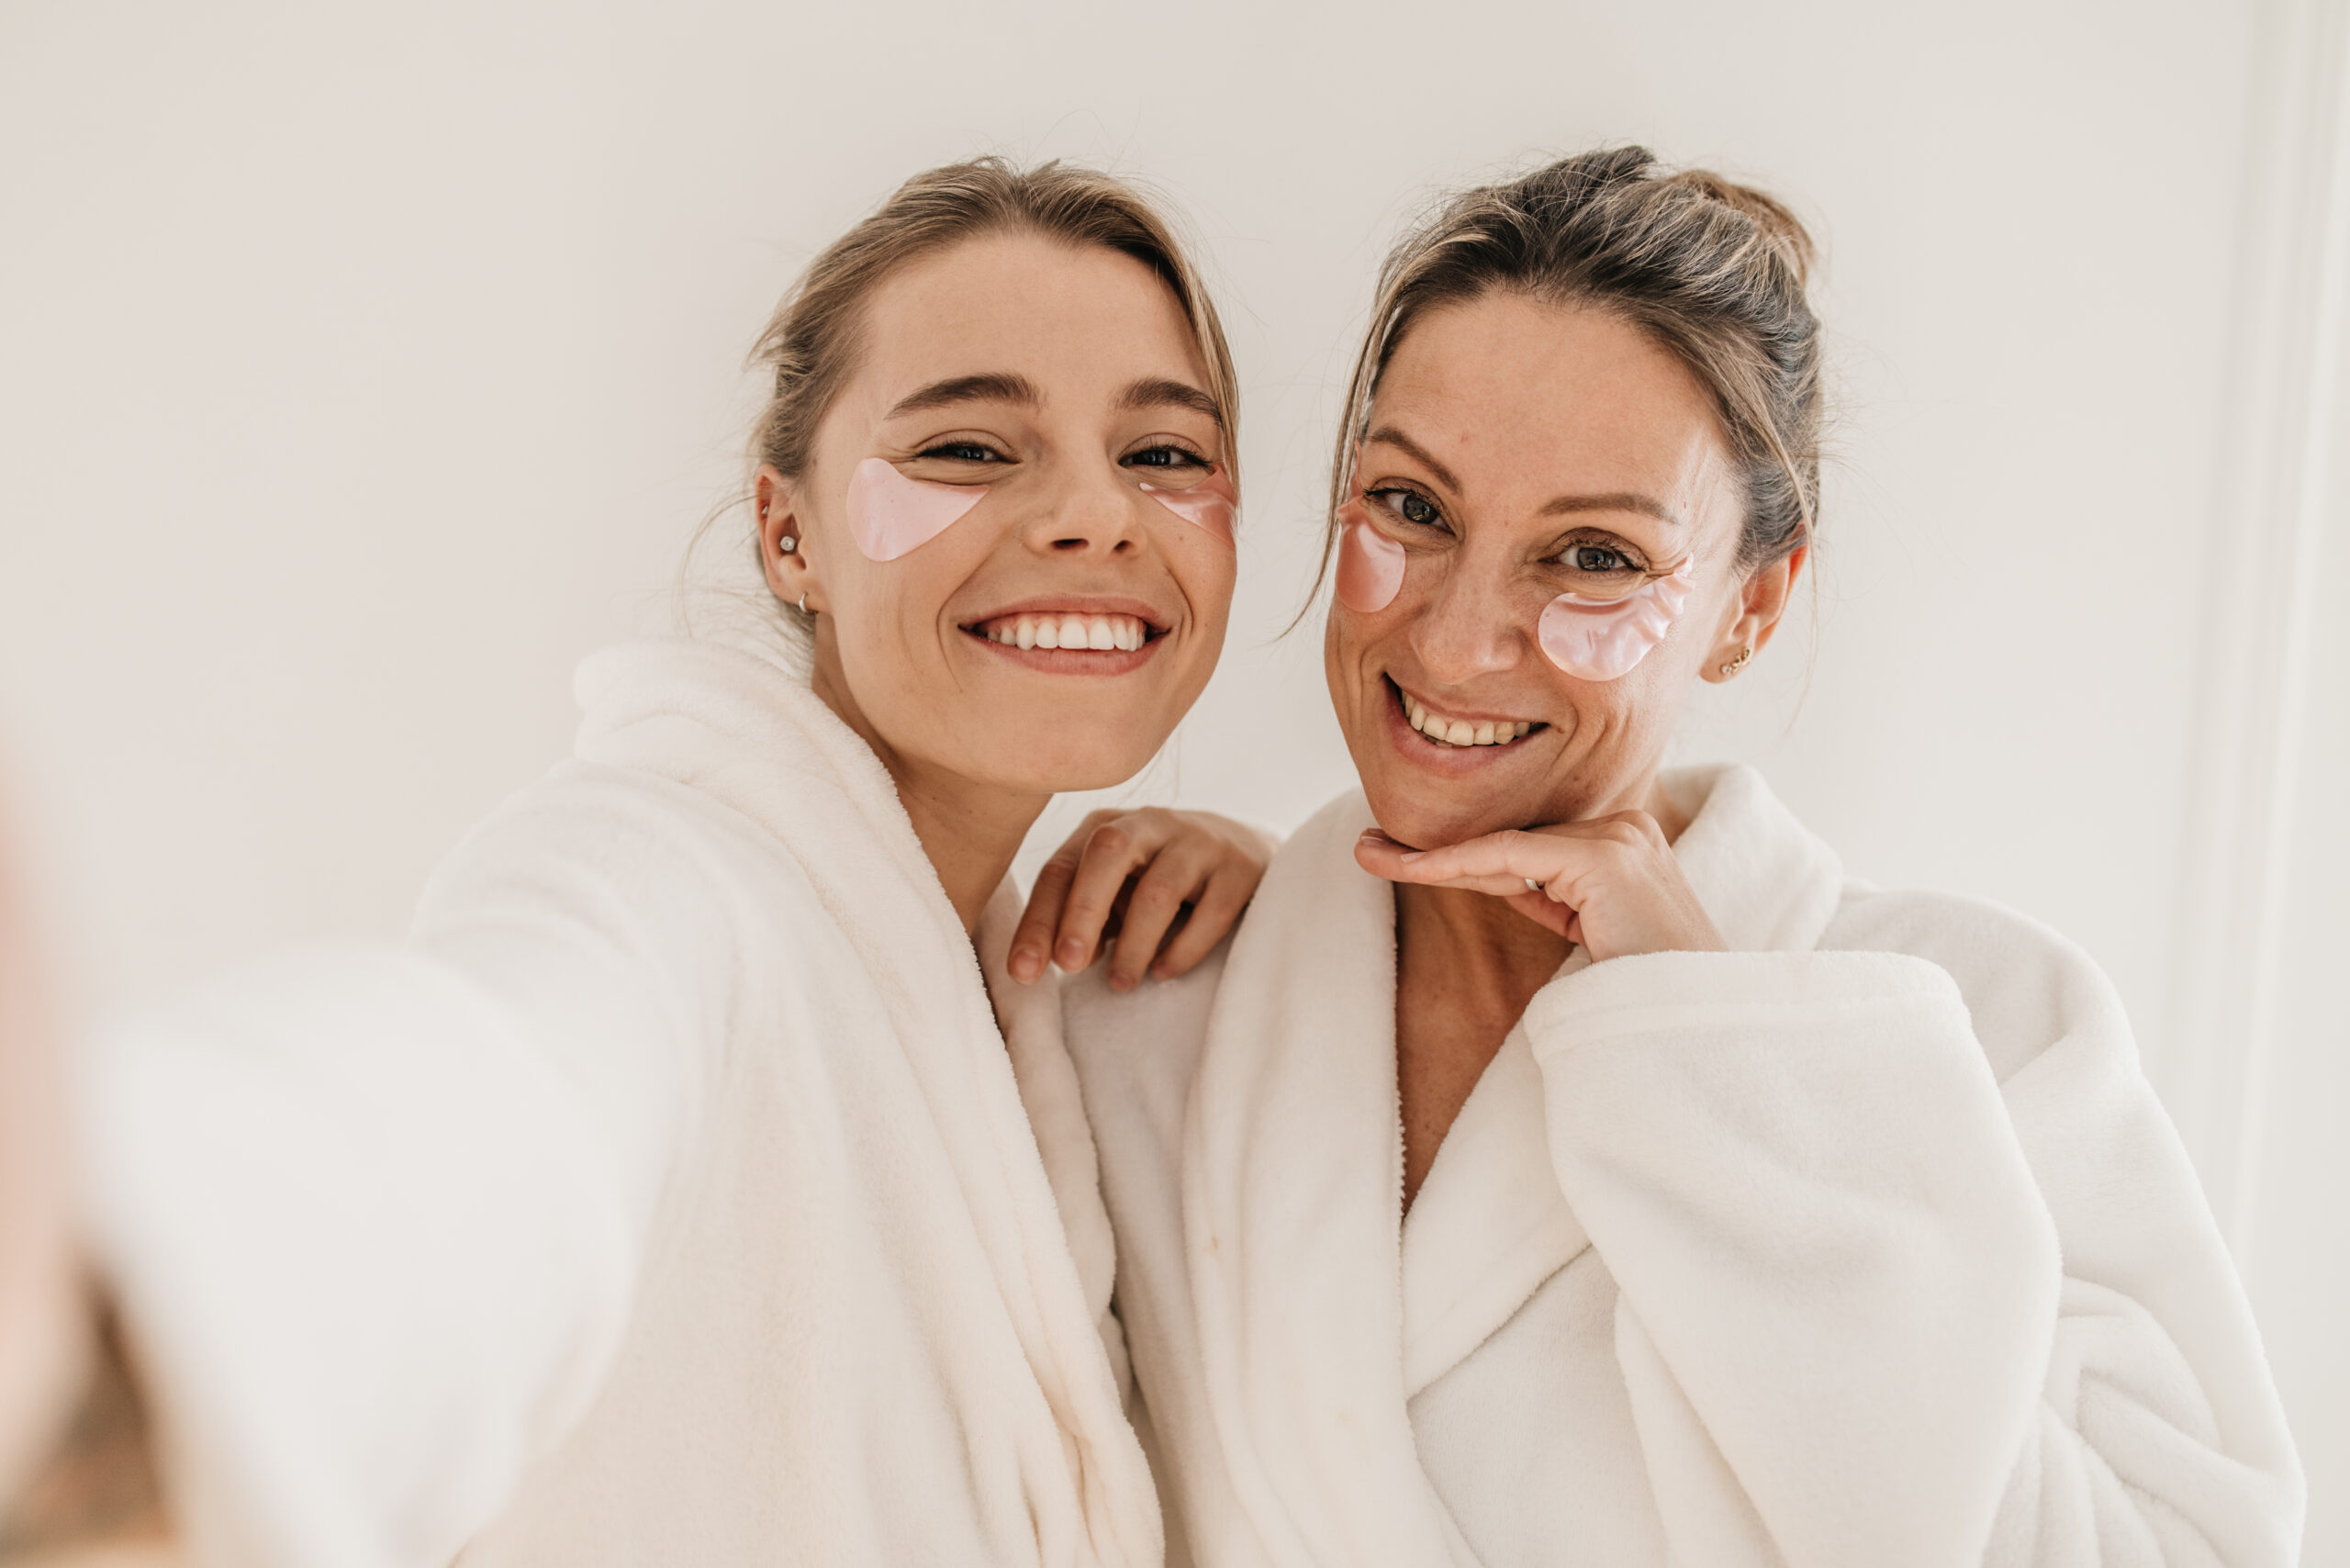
(1860, 1245)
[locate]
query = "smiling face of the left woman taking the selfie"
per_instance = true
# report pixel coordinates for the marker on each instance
(1023, 453)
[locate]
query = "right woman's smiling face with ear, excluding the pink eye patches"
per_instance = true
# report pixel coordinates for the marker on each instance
(1519, 453)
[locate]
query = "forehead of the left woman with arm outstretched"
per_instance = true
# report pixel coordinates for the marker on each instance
(1075, 319)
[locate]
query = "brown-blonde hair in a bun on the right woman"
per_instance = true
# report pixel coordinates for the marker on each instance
(1710, 269)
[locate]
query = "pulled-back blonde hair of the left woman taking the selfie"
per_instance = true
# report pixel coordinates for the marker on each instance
(814, 337)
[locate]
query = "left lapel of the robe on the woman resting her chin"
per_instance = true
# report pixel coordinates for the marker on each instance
(1294, 1200)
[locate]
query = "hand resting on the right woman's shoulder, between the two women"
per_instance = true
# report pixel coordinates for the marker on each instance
(1167, 885)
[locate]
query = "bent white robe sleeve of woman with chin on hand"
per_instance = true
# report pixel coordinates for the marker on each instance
(1879, 1306)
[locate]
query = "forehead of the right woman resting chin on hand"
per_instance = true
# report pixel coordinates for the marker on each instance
(1522, 398)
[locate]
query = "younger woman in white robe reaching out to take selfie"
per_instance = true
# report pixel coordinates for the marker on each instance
(678, 1193)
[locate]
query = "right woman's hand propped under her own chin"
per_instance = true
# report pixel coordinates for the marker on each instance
(1611, 885)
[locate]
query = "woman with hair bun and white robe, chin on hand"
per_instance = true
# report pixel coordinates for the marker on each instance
(1569, 1162)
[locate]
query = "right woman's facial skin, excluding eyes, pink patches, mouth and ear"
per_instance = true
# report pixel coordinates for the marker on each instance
(1524, 403)
